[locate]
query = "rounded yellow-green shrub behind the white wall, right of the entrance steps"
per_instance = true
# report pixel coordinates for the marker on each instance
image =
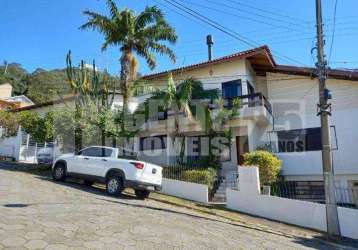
(269, 165)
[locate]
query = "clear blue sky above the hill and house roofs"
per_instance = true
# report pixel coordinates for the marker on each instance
(38, 33)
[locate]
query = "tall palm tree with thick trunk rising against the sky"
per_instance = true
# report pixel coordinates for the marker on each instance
(141, 34)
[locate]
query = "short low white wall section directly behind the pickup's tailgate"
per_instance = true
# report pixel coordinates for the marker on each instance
(186, 190)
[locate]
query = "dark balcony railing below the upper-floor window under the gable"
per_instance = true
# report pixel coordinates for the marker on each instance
(252, 100)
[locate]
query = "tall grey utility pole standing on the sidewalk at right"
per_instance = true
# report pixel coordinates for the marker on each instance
(324, 112)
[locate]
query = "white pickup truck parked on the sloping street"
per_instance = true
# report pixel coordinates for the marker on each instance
(103, 165)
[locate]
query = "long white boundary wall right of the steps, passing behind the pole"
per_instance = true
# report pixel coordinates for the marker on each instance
(302, 213)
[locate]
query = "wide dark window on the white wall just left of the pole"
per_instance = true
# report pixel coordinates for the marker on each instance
(299, 140)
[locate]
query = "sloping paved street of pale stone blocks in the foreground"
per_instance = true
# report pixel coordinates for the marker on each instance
(36, 213)
